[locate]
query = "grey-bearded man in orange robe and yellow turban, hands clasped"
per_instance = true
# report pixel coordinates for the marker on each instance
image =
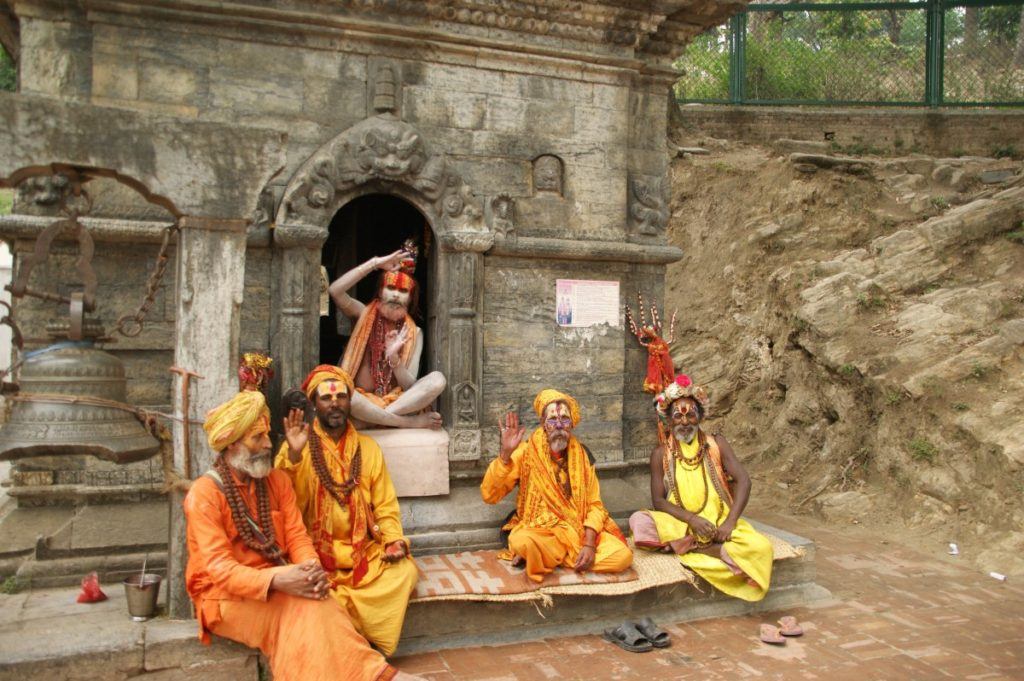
(253, 574)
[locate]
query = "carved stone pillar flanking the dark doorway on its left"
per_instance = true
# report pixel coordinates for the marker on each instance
(295, 316)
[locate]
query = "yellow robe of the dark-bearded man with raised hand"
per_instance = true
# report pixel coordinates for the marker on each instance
(377, 604)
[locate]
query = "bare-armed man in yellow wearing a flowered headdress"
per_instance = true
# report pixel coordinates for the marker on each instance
(697, 515)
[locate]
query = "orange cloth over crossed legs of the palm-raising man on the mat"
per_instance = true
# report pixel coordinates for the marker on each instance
(547, 548)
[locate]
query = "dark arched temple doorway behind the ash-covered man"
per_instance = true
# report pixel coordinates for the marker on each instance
(372, 226)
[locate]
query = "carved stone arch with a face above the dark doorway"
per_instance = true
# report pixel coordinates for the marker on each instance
(388, 155)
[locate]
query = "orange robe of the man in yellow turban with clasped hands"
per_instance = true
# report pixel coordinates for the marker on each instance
(230, 585)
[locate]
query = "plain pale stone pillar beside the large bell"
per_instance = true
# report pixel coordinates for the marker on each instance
(211, 262)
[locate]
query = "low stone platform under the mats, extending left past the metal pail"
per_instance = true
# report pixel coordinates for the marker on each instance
(45, 634)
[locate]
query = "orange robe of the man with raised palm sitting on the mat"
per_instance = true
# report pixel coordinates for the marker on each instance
(548, 529)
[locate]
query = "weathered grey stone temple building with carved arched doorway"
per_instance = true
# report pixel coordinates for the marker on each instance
(519, 143)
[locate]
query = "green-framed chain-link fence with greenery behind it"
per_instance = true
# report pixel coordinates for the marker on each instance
(929, 53)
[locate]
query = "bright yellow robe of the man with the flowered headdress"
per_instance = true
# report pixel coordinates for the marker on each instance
(749, 549)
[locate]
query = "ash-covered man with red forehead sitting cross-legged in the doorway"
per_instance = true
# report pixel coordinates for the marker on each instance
(383, 354)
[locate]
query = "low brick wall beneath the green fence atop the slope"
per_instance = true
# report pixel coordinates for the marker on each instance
(944, 133)
